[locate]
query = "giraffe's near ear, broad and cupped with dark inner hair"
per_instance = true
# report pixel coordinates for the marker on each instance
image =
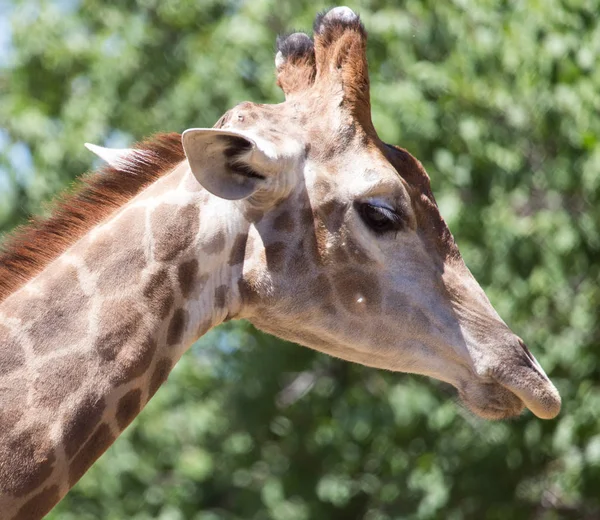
(221, 162)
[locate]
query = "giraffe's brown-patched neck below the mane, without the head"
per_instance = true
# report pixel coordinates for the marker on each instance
(87, 343)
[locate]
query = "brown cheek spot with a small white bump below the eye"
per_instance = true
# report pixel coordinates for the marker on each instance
(354, 285)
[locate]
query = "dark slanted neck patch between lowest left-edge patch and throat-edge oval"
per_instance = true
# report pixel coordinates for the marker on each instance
(80, 423)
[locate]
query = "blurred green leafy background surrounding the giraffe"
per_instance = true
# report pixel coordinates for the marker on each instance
(499, 99)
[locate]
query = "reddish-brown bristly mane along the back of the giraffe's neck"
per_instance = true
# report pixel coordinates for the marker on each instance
(25, 252)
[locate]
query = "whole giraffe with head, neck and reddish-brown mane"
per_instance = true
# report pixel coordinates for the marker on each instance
(294, 216)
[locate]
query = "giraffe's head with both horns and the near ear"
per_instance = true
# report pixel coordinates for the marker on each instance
(346, 251)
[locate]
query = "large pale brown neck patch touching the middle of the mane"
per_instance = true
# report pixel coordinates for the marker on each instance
(118, 256)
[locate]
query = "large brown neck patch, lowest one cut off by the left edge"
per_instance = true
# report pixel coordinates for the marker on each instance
(27, 460)
